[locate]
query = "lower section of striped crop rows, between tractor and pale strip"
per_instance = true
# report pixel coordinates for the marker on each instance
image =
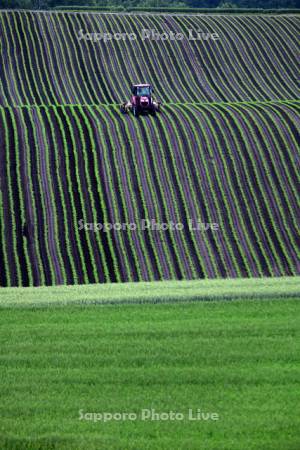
(235, 165)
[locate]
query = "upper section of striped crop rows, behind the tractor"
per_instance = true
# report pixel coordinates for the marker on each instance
(43, 61)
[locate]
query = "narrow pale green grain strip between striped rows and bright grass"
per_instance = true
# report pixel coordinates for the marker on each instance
(153, 292)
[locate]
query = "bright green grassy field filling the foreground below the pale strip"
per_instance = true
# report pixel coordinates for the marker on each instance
(238, 359)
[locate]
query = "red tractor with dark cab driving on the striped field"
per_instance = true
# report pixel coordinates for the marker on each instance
(141, 101)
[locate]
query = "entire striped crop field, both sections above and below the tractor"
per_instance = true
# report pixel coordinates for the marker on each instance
(224, 150)
